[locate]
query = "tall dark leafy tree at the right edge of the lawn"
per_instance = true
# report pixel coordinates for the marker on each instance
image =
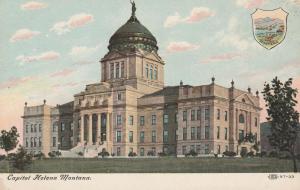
(280, 101)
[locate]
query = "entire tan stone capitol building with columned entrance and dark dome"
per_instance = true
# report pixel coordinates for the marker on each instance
(131, 109)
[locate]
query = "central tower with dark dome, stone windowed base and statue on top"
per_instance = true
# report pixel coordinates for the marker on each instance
(132, 58)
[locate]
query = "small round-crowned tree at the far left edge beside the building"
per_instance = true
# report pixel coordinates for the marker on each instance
(9, 139)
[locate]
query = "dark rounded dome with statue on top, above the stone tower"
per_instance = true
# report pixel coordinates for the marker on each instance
(133, 35)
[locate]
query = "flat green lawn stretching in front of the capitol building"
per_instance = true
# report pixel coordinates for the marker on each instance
(161, 165)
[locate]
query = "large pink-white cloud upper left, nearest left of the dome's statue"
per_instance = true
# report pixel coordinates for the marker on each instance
(74, 21)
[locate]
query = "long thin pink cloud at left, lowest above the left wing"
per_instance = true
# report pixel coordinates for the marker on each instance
(46, 56)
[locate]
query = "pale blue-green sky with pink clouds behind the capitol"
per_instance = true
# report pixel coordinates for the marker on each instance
(51, 49)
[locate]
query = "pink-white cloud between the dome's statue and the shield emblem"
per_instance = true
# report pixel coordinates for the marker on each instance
(196, 15)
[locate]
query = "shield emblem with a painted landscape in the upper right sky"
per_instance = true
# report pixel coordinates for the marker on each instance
(269, 26)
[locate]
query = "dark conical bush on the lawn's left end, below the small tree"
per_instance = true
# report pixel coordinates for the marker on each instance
(21, 159)
